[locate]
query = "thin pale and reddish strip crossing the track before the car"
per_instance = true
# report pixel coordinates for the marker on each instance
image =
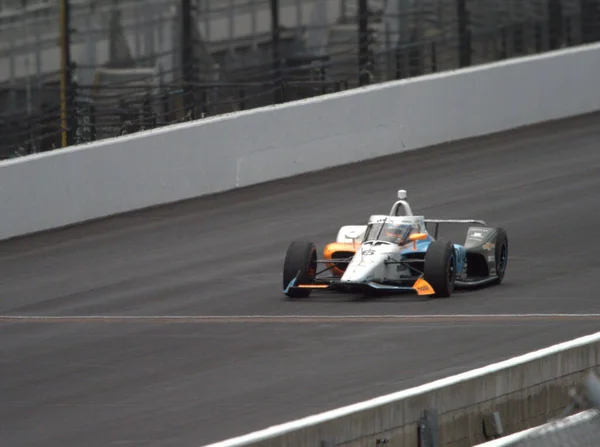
(293, 318)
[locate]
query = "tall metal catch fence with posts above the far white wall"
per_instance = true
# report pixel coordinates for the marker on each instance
(139, 64)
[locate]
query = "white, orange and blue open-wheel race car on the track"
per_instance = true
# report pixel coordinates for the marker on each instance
(397, 253)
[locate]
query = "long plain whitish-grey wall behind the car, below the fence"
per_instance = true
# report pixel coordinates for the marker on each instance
(174, 163)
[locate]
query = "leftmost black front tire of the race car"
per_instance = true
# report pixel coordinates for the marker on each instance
(300, 257)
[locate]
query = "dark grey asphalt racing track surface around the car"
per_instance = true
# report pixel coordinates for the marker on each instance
(189, 382)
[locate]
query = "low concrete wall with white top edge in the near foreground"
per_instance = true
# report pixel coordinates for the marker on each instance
(526, 391)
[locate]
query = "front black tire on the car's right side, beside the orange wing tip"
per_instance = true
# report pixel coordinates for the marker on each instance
(439, 269)
